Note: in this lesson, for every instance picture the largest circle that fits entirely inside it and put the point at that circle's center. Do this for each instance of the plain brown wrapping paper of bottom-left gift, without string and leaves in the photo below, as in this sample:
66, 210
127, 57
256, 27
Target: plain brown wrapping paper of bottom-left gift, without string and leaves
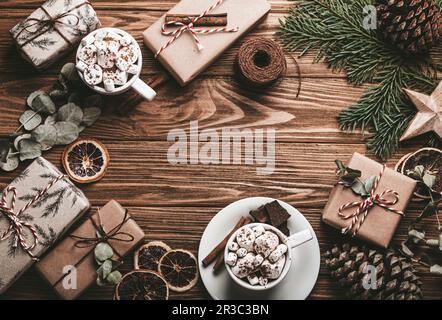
52, 267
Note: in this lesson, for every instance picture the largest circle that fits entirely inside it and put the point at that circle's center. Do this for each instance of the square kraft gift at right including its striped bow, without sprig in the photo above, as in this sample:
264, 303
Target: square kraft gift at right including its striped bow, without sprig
375, 216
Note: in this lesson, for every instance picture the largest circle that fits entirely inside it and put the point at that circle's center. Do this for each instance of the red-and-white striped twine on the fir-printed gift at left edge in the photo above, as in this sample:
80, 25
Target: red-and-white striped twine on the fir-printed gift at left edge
18, 226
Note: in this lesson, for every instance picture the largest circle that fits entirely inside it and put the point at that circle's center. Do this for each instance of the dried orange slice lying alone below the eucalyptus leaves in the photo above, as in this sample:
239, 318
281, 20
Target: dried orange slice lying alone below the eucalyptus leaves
85, 160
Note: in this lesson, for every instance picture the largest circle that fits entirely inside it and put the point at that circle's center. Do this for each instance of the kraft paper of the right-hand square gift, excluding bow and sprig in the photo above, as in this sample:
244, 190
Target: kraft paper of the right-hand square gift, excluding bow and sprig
380, 224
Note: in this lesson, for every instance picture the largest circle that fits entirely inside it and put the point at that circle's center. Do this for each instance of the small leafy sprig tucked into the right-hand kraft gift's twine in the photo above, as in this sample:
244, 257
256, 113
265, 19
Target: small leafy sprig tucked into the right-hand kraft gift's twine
351, 178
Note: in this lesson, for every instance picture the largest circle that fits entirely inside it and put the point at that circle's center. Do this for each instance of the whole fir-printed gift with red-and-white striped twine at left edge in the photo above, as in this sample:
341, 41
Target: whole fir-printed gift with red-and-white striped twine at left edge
35, 210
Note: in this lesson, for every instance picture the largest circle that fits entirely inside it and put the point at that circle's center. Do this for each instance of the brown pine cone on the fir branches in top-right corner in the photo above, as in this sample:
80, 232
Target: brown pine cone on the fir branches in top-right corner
413, 26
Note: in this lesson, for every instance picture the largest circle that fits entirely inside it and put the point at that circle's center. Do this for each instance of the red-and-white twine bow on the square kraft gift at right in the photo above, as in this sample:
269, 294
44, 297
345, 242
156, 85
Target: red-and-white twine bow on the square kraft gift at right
379, 199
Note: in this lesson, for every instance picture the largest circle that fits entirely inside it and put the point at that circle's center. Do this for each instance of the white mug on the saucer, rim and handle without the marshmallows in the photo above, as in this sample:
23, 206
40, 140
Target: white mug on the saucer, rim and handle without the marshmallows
291, 242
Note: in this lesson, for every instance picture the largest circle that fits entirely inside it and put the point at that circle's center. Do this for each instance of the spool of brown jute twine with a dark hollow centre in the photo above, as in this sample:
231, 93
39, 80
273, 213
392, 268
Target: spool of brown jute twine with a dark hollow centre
260, 62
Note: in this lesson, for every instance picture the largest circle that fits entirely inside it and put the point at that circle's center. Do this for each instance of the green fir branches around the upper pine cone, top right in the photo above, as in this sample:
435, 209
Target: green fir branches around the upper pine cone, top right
334, 30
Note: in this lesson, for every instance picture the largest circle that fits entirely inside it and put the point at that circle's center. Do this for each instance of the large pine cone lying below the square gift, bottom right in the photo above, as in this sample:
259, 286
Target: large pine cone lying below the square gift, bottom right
395, 278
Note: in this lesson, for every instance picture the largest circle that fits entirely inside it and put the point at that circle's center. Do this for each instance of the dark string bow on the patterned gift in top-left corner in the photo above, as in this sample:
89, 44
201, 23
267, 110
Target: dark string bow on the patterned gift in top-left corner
36, 27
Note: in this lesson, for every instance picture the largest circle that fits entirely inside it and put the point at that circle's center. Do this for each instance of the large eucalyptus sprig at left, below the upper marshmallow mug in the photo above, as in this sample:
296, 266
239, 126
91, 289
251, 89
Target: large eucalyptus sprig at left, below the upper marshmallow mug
54, 118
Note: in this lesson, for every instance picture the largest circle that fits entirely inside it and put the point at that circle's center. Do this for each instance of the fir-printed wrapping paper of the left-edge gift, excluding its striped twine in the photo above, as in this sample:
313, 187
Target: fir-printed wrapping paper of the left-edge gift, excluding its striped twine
61, 205
